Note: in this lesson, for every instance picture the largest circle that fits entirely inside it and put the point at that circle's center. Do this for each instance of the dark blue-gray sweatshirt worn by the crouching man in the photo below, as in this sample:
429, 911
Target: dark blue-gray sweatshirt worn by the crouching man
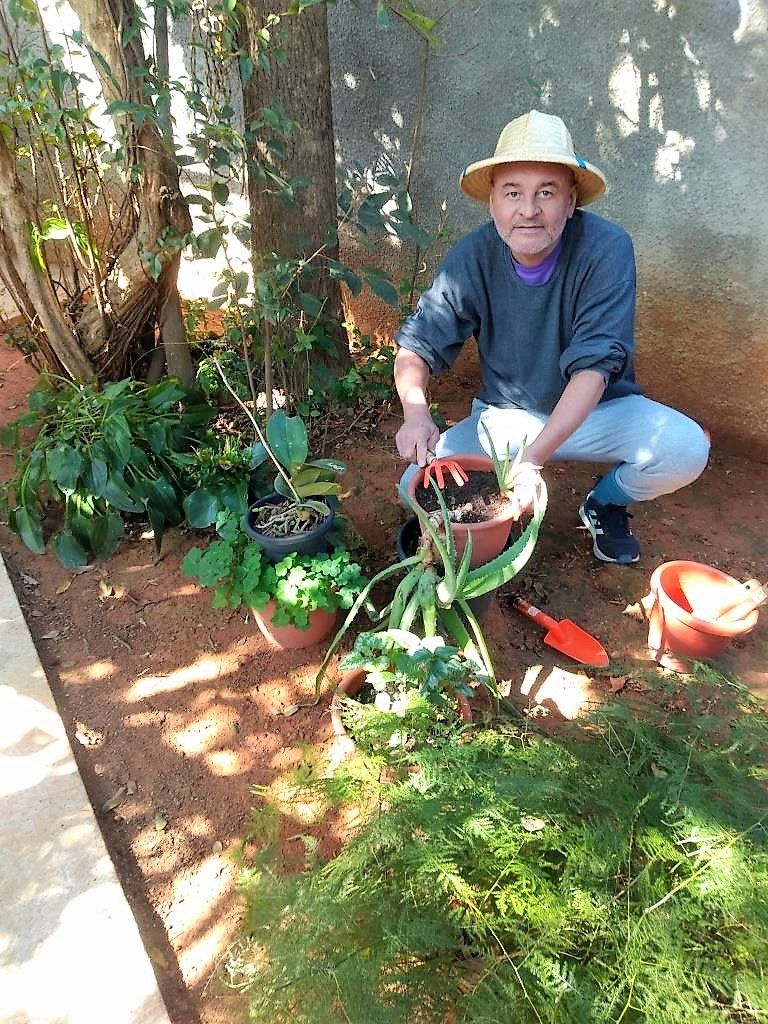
533, 338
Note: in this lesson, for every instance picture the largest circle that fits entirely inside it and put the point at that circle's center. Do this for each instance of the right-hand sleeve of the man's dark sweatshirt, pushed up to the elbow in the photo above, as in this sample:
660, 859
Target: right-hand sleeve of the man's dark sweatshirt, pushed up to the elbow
604, 324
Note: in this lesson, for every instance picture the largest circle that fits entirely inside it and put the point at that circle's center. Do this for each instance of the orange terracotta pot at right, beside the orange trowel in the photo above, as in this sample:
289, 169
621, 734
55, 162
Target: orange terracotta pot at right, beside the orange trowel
689, 599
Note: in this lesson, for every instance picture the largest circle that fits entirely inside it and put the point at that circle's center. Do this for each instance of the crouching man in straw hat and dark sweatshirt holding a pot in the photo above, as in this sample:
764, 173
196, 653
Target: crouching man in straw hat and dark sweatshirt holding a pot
548, 292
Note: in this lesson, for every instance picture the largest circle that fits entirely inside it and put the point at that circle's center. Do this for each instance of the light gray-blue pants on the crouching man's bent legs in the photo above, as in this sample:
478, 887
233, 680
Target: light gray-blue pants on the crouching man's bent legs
656, 450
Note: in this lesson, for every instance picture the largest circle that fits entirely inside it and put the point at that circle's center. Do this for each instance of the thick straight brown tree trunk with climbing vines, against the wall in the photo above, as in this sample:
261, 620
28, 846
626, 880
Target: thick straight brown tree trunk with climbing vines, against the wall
304, 86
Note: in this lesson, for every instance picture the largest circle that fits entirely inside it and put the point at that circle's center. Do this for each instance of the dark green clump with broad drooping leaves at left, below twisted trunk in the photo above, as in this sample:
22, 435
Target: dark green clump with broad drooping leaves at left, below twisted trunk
100, 454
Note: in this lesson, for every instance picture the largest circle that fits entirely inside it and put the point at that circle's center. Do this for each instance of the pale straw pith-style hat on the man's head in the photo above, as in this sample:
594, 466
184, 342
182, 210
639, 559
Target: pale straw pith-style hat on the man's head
535, 138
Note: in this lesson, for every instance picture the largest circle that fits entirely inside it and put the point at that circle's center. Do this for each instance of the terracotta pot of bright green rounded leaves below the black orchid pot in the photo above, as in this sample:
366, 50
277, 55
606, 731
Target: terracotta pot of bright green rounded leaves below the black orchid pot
295, 602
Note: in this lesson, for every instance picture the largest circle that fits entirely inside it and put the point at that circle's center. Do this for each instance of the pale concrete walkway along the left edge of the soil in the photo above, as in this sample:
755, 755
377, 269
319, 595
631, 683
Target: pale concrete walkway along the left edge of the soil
70, 950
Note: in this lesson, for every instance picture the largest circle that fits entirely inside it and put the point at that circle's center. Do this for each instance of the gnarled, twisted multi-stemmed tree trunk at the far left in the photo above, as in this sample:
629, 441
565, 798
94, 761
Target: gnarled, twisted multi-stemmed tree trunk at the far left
109, 324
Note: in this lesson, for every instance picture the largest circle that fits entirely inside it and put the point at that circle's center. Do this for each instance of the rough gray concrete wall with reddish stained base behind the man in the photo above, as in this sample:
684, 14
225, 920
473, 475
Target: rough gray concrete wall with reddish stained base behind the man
668, 99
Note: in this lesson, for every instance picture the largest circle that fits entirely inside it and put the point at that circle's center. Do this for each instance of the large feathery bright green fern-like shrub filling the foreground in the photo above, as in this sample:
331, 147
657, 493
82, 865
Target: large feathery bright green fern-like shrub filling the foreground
619, 875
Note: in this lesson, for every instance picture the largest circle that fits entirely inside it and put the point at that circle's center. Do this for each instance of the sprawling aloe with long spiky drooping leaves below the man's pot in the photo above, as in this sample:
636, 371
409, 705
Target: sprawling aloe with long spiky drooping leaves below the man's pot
439, 583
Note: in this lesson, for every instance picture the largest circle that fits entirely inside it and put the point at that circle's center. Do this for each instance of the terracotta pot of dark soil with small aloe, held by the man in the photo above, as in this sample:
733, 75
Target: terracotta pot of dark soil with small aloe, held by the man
478, 492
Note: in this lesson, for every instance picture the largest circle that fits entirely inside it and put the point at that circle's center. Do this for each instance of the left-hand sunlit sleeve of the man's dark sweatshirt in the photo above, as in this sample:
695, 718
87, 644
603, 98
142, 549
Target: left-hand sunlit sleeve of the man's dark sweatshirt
446, 316
